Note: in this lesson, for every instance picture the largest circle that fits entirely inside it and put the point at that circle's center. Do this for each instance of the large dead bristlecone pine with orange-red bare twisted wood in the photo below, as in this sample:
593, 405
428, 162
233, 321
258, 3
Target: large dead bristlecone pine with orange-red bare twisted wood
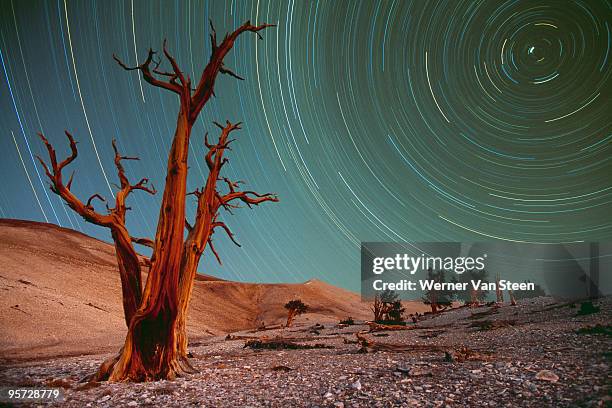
156, 343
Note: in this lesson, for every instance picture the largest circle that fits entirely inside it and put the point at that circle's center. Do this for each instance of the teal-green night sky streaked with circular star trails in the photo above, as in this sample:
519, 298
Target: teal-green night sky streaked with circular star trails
372, 121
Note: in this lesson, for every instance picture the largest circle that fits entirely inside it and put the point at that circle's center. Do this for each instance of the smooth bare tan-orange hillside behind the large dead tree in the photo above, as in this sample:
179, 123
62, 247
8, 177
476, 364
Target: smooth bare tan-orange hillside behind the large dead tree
60, 294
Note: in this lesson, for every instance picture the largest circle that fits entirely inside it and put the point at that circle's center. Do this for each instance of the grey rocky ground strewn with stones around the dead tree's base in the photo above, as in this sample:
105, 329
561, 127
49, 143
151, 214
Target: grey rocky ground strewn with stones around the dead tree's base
539, 353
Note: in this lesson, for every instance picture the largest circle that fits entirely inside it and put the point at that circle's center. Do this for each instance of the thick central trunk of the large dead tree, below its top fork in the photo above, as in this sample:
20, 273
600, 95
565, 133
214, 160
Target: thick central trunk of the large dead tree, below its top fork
149, 352
